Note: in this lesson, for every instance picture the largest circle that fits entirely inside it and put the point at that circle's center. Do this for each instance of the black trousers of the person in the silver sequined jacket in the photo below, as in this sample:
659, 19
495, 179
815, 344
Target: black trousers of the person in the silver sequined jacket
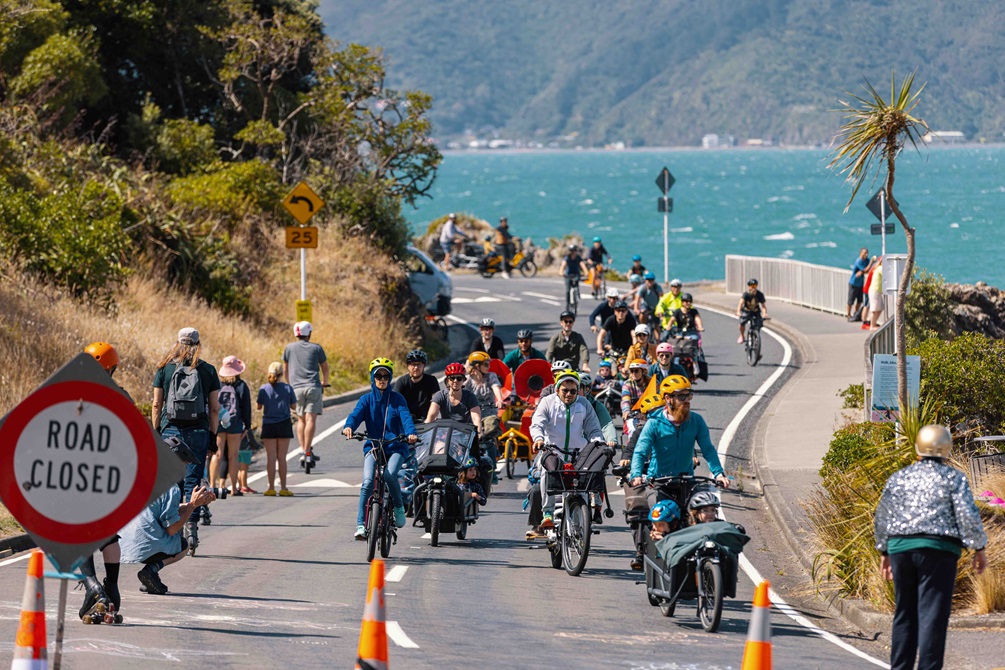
924, 581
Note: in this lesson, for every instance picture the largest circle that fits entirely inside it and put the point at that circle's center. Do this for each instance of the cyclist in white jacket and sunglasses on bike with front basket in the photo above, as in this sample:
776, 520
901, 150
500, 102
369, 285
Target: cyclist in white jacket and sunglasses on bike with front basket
565, 420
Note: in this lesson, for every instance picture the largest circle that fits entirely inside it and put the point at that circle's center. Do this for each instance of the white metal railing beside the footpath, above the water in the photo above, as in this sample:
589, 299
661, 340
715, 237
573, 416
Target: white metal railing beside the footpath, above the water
818, 287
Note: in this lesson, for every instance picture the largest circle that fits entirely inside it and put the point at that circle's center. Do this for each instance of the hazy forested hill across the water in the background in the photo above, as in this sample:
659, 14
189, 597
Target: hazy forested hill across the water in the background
667, 73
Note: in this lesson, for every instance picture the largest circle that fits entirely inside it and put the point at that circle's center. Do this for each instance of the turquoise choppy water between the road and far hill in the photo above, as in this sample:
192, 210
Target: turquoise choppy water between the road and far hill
779, 203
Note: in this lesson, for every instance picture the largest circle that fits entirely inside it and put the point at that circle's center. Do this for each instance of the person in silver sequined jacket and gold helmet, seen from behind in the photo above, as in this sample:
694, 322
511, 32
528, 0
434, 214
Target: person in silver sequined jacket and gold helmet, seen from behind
925, 520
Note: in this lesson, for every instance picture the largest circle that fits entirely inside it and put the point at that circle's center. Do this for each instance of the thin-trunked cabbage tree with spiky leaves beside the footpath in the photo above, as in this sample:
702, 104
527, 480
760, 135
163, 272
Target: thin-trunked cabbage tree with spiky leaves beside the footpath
874, 134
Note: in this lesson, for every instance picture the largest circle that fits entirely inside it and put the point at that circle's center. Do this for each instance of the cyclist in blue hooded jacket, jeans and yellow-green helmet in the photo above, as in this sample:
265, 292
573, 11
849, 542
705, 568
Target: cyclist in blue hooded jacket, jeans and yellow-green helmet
386, 416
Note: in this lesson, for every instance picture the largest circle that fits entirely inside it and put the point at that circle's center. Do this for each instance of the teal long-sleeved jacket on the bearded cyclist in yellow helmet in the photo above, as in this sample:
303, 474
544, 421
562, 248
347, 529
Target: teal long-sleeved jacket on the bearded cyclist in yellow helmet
670, 449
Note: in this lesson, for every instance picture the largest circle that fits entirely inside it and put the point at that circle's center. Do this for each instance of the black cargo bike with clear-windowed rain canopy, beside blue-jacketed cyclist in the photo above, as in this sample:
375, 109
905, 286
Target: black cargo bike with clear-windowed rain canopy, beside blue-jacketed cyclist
441, 505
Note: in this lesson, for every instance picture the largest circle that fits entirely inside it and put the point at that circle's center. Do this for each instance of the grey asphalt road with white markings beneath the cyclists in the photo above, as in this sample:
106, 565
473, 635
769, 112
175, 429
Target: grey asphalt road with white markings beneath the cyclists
280, 582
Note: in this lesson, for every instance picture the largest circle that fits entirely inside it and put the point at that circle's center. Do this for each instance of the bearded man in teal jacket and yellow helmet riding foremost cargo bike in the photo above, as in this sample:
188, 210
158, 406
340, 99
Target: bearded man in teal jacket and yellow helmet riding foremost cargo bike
670, 437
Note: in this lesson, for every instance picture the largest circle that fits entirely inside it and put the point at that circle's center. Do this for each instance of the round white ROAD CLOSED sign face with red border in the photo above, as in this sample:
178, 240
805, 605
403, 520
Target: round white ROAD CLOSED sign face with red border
80, 463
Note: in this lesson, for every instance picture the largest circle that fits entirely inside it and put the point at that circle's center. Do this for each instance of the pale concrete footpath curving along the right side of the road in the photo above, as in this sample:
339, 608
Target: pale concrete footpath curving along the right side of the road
793, 436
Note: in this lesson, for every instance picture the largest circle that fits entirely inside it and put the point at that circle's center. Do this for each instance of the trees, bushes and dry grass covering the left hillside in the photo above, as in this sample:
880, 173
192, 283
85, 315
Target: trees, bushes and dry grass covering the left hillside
145, 149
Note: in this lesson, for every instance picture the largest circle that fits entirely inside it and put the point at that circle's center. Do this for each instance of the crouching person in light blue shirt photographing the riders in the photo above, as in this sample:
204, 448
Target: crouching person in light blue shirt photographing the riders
154, 538
